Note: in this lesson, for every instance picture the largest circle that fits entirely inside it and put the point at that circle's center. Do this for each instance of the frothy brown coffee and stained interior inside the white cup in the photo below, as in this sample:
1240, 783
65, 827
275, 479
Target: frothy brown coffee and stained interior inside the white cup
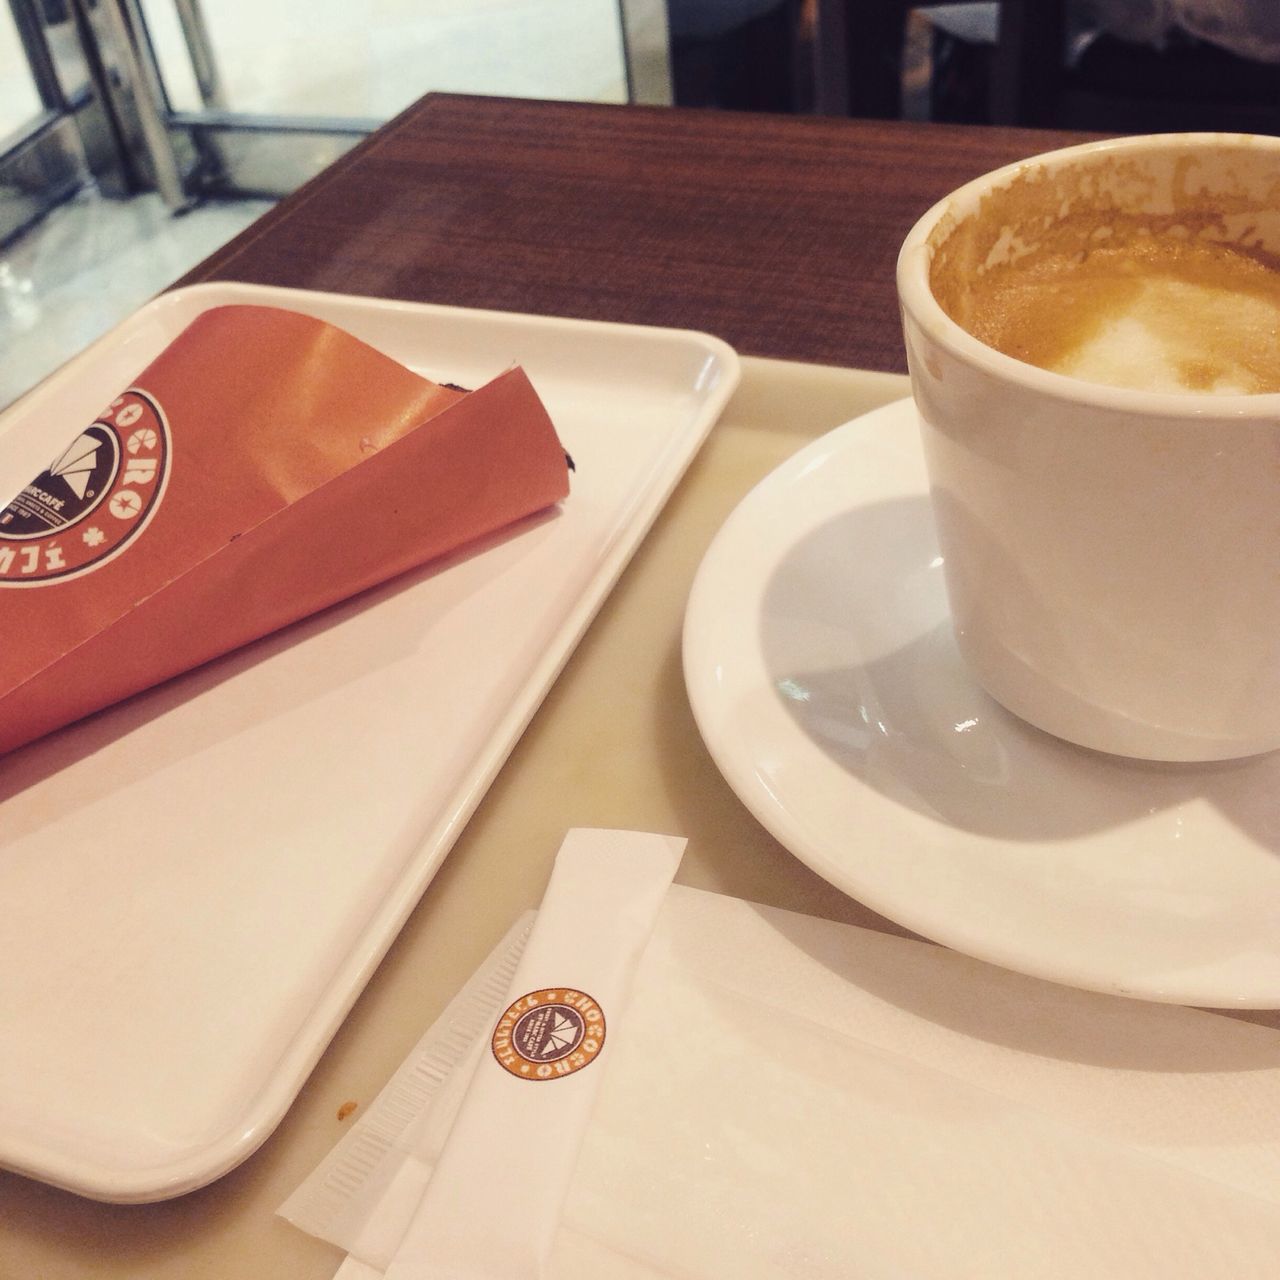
1121, 275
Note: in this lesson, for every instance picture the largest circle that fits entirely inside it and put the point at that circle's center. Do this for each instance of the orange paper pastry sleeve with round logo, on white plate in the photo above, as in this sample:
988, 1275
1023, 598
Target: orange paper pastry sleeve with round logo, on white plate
266, 467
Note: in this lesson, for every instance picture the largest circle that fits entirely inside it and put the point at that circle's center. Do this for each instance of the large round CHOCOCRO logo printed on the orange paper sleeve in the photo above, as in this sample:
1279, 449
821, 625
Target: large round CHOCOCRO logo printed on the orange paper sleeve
92, 501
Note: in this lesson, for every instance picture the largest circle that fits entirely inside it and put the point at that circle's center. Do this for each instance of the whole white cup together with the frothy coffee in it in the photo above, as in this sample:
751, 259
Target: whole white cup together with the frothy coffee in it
1092, 337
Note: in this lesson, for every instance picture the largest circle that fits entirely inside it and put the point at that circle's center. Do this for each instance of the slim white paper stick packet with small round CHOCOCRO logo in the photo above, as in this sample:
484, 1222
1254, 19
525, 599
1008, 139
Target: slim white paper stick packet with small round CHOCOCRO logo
493, 1205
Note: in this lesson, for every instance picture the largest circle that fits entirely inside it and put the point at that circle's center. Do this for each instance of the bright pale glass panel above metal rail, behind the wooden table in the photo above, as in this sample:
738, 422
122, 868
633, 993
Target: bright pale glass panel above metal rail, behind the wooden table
333, 58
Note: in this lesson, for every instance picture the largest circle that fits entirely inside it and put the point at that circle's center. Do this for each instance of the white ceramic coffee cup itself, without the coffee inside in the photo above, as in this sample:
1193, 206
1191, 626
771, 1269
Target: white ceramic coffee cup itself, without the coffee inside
1112, 555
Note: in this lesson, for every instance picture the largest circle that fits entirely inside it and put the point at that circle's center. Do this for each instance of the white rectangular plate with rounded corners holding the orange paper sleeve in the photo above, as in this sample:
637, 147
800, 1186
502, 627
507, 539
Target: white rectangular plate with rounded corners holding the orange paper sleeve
196, 885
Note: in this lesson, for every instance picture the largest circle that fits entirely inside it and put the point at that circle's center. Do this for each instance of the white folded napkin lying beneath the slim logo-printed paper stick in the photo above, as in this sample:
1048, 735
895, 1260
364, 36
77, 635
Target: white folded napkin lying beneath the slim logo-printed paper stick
793, 1098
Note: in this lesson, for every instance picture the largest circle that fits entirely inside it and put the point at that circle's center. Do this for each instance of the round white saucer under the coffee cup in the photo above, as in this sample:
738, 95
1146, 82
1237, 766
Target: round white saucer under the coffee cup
826, 683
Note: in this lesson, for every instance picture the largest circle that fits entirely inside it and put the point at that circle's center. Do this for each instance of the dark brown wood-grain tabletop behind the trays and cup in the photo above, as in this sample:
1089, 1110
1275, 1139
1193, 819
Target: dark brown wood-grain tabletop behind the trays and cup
778, 234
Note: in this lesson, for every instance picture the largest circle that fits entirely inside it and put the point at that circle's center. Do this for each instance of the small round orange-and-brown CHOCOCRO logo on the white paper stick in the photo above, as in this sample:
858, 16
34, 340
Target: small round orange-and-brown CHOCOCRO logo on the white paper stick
550, 1034
